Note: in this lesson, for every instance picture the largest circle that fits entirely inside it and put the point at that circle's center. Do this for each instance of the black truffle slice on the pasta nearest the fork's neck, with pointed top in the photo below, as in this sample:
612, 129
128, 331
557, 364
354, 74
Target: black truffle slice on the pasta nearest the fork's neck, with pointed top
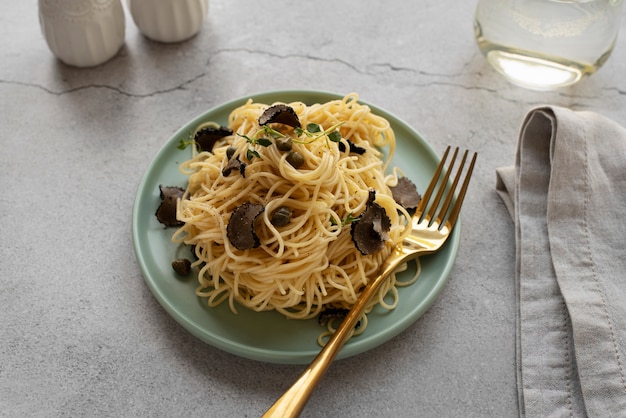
371, 229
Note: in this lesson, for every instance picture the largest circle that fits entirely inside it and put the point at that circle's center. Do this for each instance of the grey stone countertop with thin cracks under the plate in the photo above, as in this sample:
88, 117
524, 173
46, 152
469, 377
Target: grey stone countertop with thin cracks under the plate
82, 335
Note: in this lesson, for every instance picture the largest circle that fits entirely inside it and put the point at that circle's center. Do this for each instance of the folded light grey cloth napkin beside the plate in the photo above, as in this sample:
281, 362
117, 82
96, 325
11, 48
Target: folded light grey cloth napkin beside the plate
567, 197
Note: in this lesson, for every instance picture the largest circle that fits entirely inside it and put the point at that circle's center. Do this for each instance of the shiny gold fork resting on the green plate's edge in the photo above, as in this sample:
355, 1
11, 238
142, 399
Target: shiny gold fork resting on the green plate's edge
429, 232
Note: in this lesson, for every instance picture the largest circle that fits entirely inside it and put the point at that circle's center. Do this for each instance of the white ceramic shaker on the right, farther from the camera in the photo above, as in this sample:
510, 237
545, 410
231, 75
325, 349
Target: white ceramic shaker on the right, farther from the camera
169, 20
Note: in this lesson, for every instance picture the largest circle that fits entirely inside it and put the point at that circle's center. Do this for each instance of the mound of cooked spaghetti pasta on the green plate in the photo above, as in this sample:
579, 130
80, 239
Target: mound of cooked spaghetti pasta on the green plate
309, 263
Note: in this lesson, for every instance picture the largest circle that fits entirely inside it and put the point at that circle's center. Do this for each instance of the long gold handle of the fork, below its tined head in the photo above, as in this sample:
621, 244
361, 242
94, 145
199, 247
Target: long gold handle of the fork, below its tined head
291, 403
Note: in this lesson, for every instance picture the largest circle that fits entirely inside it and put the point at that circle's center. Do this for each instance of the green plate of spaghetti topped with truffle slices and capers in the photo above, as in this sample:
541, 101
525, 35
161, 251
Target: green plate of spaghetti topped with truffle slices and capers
285, 205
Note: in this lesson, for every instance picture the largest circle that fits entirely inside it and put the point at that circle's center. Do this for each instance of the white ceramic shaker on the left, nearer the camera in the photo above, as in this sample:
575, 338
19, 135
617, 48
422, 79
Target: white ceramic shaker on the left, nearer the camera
83, 33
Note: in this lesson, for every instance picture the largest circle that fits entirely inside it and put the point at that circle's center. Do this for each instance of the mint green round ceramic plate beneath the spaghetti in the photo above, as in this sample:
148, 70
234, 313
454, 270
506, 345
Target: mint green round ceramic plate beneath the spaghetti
268, 336
